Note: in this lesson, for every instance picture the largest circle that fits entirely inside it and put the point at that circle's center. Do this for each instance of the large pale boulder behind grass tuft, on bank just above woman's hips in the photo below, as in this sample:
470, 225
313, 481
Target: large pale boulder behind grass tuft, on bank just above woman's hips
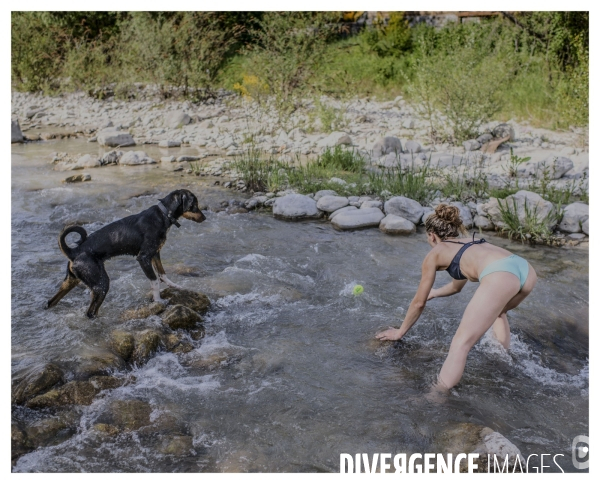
525, 204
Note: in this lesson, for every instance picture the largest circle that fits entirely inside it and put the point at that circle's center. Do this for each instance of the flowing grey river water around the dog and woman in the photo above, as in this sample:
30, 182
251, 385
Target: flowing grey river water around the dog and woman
304, 380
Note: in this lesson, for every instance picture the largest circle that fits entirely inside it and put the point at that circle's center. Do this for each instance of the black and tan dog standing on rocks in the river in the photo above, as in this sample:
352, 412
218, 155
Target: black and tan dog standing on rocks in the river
141, 235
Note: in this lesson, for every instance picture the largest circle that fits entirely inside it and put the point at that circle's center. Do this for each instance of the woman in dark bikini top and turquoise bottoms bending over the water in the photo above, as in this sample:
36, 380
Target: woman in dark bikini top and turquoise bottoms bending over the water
505, 280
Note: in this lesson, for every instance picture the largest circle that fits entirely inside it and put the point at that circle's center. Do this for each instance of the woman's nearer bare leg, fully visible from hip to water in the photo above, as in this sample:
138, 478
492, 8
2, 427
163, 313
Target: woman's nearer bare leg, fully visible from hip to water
493, 294
